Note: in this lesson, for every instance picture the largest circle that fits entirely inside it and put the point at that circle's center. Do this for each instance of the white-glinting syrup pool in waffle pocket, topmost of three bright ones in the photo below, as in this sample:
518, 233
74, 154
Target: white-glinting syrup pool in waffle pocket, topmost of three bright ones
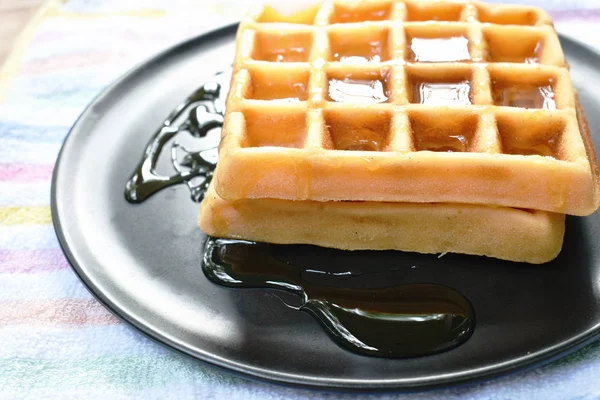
449, 49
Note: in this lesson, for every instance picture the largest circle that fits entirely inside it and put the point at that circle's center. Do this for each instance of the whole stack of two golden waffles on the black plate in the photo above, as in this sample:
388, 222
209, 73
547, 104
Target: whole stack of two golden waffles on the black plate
426, 126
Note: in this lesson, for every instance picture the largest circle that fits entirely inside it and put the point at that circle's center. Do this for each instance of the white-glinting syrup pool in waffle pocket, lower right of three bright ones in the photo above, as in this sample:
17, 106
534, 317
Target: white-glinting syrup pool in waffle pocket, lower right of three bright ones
440, 93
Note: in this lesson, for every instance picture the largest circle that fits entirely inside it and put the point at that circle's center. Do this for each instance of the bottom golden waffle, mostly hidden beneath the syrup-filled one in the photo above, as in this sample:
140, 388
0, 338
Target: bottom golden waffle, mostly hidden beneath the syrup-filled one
506, 233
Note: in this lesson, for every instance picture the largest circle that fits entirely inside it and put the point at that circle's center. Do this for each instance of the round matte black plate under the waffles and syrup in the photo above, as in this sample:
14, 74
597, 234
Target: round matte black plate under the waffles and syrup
143, 261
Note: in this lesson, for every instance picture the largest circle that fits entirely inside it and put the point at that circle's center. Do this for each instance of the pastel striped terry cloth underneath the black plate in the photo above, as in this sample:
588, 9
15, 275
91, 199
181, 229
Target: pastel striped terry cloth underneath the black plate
56, 341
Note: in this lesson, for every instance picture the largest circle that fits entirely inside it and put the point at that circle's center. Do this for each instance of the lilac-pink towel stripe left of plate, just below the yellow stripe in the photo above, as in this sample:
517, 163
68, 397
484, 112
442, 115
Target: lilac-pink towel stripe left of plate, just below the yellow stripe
30, 261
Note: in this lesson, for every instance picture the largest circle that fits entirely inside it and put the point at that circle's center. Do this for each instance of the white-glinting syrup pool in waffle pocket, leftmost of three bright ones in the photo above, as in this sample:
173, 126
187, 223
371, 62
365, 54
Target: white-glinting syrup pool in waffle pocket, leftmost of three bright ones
359, 91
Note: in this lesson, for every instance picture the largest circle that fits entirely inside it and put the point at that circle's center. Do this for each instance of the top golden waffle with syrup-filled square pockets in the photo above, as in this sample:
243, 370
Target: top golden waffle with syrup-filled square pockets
406, 101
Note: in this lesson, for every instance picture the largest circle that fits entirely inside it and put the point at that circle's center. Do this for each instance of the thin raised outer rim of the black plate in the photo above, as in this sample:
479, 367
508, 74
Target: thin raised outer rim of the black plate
157, 335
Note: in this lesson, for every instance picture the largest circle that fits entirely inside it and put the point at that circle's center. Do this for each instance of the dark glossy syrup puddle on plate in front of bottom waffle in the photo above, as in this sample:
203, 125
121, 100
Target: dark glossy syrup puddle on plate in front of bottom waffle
407, 320
